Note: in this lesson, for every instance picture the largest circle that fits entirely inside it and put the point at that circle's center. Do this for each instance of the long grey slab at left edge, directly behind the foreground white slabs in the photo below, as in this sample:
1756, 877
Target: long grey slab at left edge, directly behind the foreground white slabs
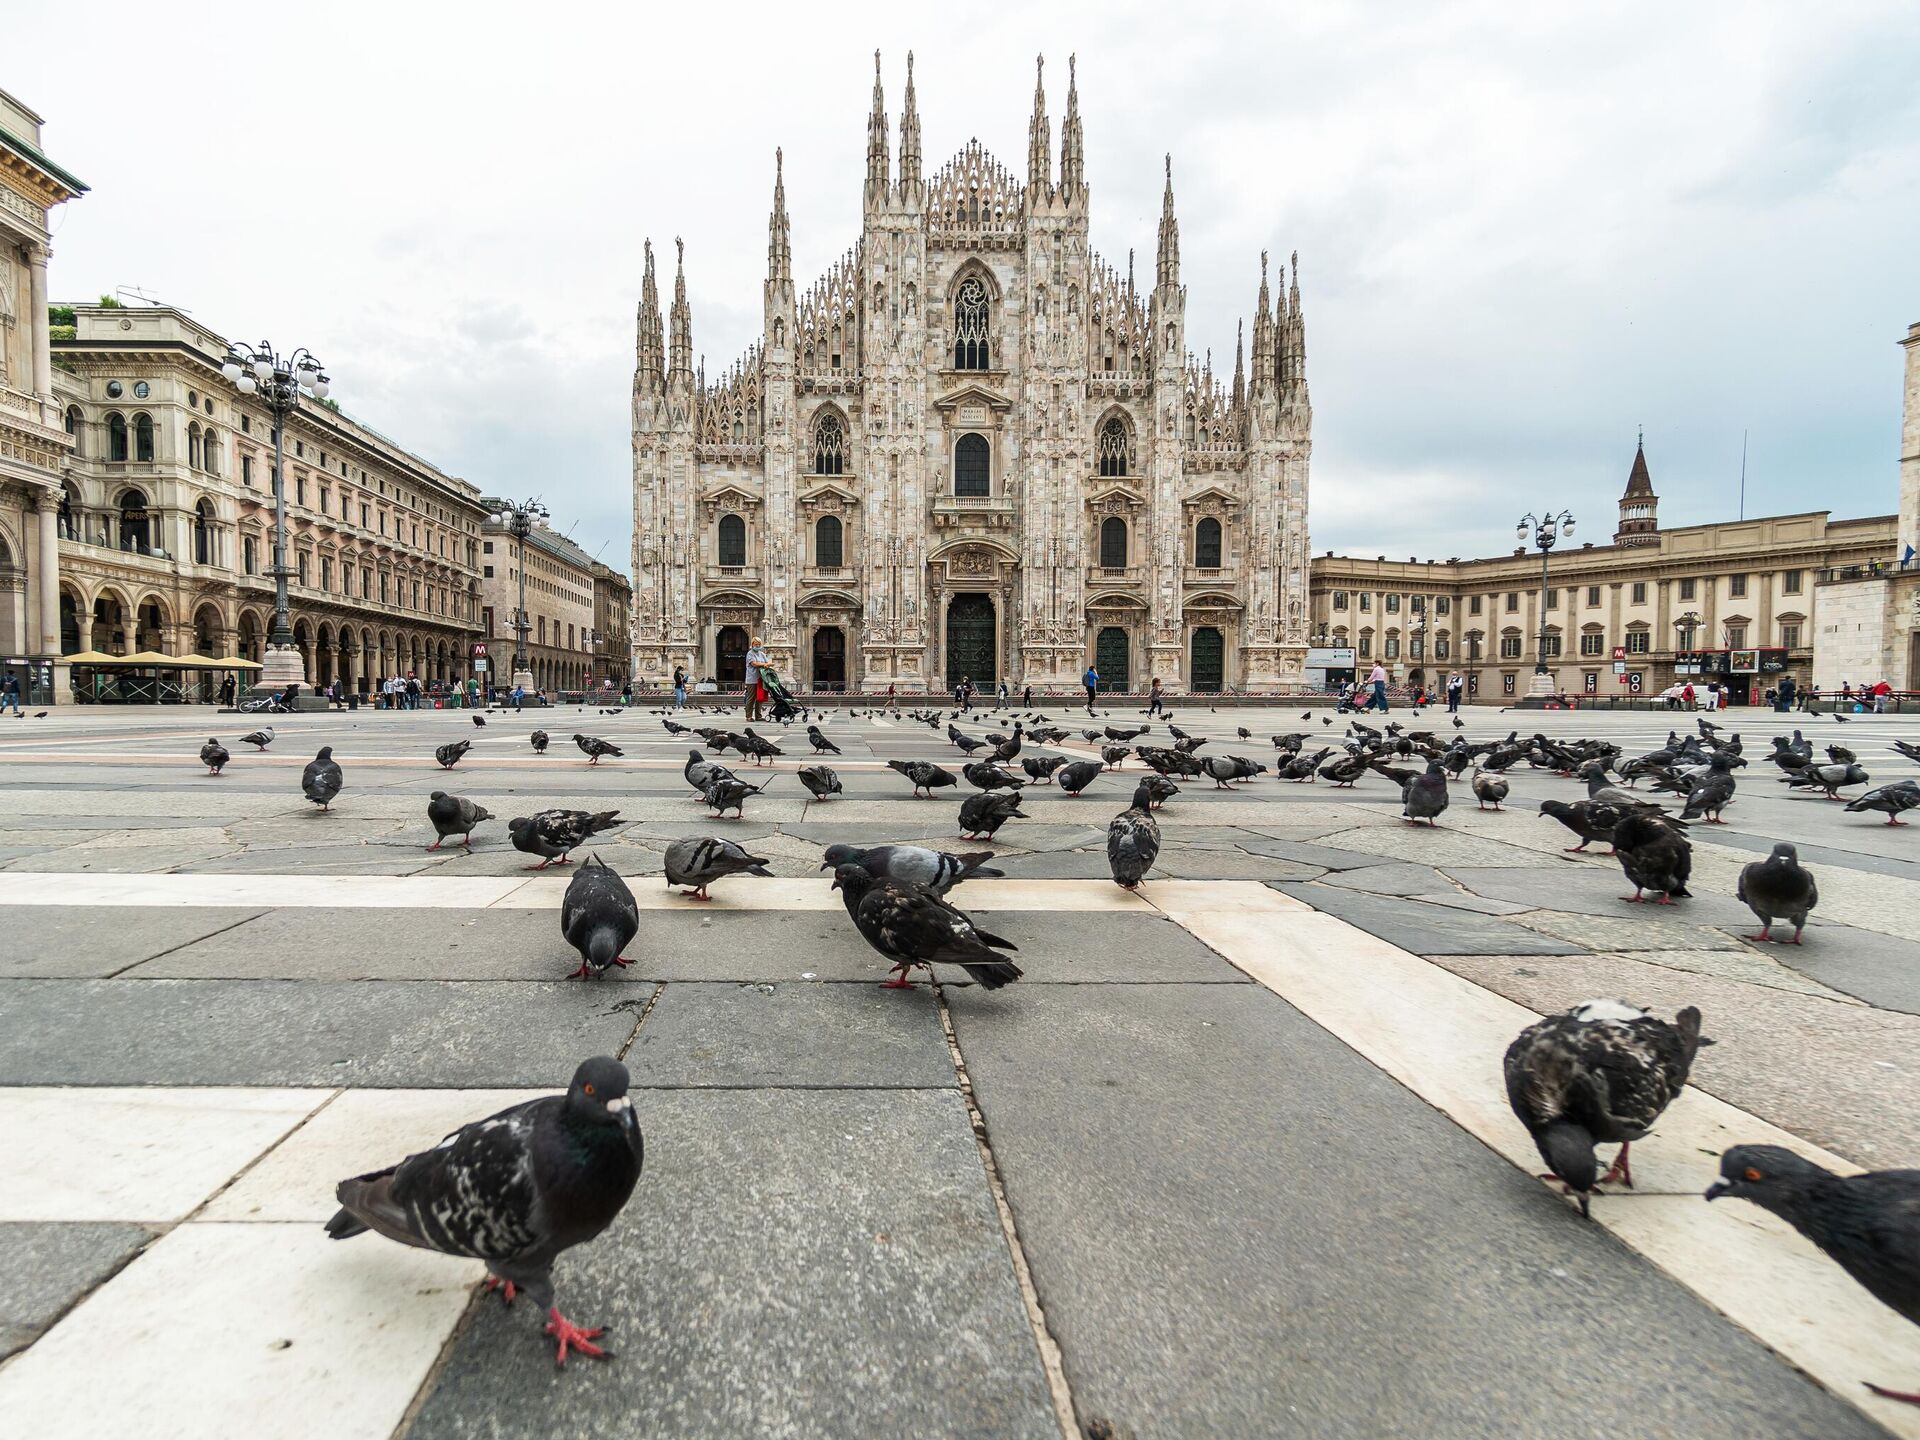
212, 1032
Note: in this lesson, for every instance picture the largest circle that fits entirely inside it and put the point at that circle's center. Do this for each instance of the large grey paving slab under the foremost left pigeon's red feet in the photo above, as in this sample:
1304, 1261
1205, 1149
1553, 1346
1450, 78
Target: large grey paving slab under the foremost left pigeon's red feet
794, 1264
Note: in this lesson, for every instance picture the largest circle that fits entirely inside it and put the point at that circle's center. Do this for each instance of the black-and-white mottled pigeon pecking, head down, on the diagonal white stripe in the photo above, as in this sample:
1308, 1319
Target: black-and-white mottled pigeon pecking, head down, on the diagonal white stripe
1600, 1072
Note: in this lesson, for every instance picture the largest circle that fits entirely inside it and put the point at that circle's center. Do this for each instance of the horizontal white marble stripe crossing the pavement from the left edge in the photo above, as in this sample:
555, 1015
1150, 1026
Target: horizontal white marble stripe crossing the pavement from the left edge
508, 892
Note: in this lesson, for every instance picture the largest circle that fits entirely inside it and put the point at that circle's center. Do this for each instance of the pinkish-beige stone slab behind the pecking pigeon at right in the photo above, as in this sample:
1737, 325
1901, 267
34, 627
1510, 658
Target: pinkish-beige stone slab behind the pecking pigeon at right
1823, 1070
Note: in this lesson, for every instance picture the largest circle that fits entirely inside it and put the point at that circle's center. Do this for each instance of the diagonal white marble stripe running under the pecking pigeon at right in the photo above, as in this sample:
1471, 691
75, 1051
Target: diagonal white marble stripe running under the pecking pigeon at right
1445, 1038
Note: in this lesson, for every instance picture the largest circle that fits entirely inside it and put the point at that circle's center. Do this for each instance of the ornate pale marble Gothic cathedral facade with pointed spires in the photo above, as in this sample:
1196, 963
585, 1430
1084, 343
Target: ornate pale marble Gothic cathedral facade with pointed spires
974, 448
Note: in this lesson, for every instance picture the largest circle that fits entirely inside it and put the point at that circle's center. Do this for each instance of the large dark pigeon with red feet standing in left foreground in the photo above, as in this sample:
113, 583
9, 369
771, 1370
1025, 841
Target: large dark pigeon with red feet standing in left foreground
514, 1189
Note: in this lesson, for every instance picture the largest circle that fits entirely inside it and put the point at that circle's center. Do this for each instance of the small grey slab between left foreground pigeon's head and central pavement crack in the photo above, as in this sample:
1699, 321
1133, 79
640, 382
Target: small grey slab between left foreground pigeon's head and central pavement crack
792, 1034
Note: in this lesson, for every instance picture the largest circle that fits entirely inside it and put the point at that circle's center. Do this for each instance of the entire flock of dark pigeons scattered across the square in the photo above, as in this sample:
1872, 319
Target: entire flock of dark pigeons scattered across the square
533, 1182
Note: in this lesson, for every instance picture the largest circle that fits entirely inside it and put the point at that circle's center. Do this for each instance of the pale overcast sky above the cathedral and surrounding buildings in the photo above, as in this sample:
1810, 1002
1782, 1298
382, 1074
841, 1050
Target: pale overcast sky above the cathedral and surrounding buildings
1522, 237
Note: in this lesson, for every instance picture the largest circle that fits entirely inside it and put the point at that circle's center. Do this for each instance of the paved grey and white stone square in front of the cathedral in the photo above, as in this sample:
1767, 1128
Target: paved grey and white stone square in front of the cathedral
1234, 1159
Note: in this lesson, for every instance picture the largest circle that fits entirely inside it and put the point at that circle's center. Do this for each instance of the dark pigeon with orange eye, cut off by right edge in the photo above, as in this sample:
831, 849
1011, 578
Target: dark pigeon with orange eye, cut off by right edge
1867, 1224
